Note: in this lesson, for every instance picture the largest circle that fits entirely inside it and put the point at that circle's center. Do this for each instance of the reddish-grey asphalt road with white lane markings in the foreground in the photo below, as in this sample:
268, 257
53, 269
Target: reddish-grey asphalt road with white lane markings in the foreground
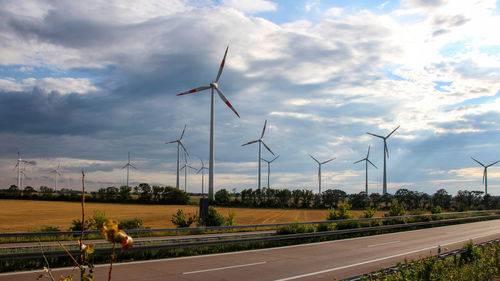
318, 261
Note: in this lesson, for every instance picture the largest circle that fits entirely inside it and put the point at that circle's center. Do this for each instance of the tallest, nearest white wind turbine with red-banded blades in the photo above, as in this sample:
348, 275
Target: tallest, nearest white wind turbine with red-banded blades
214, 87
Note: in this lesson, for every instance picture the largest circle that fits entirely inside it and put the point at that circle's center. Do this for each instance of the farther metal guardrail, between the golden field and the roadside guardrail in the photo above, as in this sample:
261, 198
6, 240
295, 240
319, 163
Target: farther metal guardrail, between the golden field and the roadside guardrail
234, 227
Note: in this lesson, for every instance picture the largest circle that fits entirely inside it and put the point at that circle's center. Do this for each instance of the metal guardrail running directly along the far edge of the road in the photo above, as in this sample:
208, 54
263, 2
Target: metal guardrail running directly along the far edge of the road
249, 240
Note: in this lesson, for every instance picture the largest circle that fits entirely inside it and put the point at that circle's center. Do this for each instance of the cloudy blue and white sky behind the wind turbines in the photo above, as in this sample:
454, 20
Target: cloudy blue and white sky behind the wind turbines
82, 83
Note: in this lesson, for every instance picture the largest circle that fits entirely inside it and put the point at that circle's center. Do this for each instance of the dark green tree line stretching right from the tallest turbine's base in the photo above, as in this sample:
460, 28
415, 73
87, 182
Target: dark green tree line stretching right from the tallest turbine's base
331, 198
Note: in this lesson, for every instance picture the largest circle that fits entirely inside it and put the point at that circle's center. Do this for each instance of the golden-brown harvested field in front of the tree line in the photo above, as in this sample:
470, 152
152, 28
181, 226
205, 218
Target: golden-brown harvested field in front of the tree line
27, 215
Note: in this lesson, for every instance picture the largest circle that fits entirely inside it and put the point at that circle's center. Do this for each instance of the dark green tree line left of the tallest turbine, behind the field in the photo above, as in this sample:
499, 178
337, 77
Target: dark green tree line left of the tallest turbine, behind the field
143, 193
